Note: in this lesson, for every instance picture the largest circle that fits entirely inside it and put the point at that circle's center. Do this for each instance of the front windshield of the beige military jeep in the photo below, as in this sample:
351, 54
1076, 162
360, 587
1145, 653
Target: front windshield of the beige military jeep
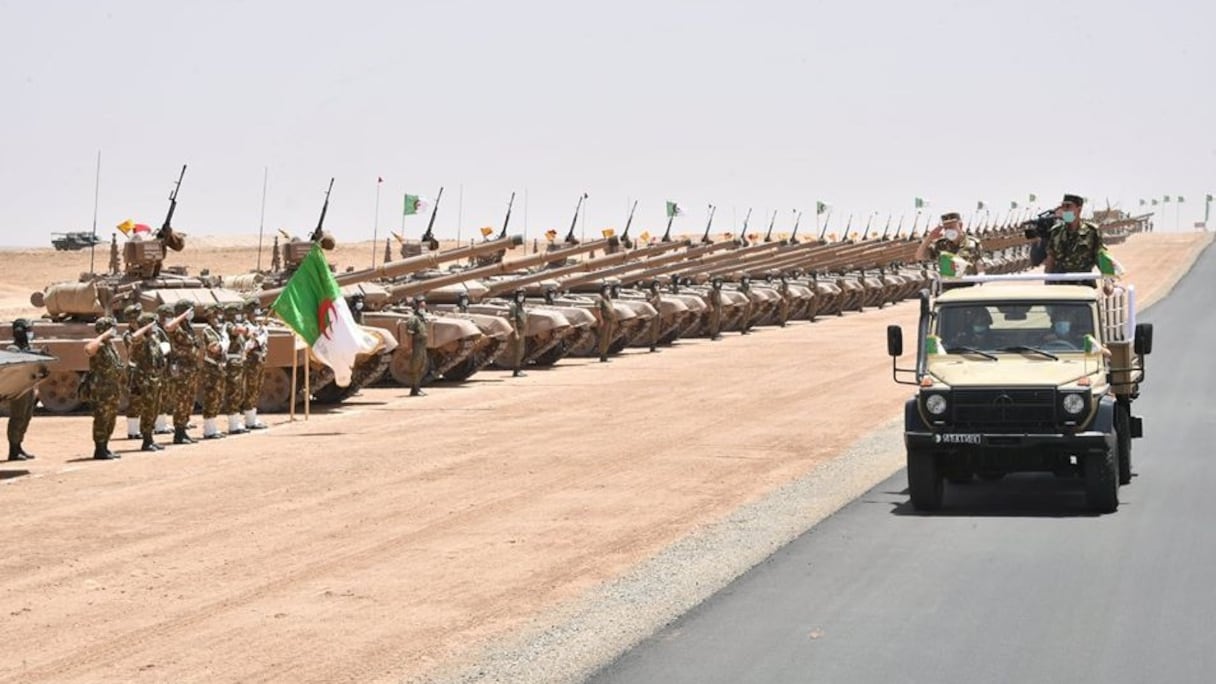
1015, 328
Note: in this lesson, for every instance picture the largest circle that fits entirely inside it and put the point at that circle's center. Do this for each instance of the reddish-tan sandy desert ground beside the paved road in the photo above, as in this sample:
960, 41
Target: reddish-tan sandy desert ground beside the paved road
395, 537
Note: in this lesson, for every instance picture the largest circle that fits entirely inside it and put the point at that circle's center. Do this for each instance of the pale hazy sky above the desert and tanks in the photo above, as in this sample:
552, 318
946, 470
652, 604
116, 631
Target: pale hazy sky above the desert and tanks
765, 105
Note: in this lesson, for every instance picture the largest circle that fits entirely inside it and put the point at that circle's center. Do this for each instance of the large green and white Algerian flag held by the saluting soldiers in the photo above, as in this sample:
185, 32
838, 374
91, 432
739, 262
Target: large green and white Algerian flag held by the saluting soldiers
312, 305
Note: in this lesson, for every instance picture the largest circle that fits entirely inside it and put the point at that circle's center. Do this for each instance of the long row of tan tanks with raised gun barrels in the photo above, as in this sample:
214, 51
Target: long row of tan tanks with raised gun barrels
469, 289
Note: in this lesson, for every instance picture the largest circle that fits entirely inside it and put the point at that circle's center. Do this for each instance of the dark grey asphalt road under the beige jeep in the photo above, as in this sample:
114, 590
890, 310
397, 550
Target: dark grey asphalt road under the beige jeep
1015, 582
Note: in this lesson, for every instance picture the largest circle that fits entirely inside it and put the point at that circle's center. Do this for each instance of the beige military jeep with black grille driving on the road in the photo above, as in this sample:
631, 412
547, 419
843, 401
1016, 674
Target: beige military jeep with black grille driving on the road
1023, 374
